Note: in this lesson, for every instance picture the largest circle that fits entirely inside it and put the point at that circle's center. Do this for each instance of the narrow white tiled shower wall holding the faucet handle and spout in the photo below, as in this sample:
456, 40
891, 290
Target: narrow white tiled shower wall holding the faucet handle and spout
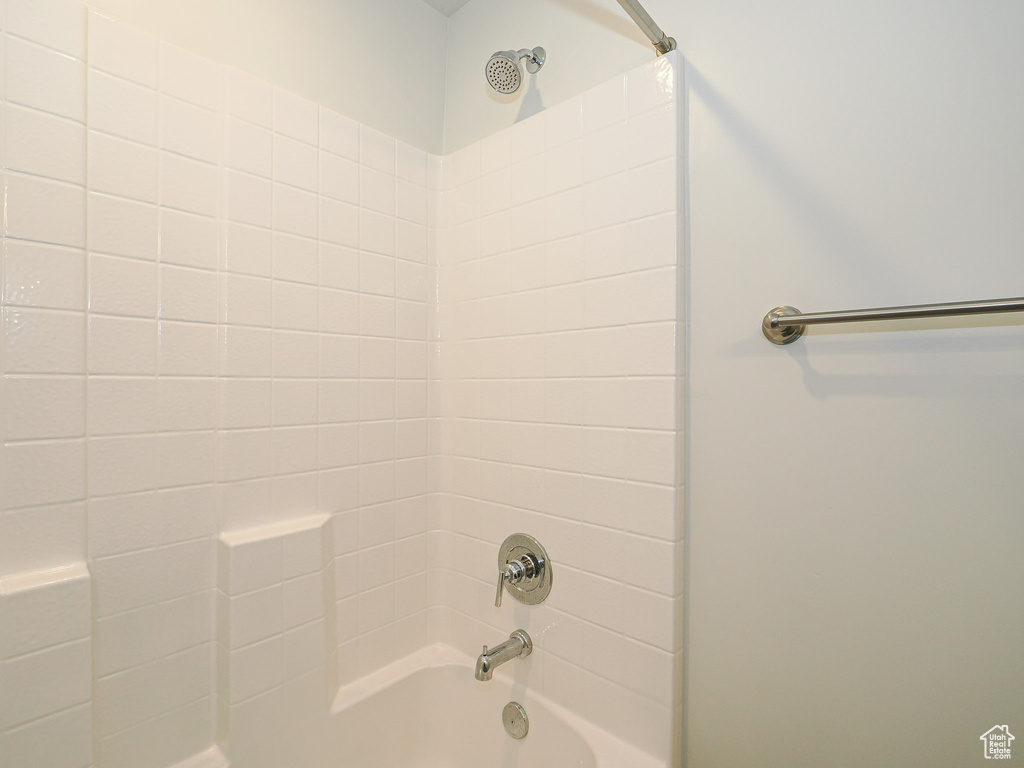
557, 398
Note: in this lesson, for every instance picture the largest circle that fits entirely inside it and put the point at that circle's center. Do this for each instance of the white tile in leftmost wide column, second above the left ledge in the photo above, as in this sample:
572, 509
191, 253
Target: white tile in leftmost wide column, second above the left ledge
44, 474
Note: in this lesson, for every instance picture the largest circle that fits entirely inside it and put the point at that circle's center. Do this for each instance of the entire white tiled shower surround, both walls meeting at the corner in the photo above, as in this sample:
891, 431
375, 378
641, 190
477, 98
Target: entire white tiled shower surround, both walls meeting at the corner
216, 317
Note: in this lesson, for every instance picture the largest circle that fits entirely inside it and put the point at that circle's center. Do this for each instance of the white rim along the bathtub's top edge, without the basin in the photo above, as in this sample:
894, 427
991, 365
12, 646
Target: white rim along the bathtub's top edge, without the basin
610, 751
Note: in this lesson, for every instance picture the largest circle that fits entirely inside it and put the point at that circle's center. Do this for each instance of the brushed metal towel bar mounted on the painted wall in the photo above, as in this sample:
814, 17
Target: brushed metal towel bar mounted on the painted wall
785, 325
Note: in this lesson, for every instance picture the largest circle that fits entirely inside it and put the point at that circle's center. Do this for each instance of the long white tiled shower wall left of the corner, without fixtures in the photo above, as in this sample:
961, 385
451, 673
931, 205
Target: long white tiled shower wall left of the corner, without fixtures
215, 319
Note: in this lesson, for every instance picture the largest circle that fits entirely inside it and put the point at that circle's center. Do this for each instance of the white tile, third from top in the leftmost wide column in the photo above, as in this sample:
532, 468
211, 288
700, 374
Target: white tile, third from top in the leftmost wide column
46, 146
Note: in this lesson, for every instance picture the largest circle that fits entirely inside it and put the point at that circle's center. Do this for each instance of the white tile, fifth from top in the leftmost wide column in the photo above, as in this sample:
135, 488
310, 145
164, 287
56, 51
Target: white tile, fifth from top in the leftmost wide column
46, 277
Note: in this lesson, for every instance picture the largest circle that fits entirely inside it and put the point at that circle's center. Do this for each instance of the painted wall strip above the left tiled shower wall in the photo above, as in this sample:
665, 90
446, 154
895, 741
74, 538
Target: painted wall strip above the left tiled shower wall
378, 62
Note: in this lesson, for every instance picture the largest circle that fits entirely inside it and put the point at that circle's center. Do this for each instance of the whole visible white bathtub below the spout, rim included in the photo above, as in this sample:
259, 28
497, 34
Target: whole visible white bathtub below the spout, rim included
428, 711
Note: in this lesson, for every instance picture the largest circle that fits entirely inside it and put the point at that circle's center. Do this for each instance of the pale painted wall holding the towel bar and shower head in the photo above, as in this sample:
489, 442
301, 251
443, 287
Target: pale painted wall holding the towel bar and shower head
851, 604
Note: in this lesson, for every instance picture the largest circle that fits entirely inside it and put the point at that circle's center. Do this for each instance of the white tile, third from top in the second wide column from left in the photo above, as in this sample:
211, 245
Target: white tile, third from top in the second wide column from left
123, 168
